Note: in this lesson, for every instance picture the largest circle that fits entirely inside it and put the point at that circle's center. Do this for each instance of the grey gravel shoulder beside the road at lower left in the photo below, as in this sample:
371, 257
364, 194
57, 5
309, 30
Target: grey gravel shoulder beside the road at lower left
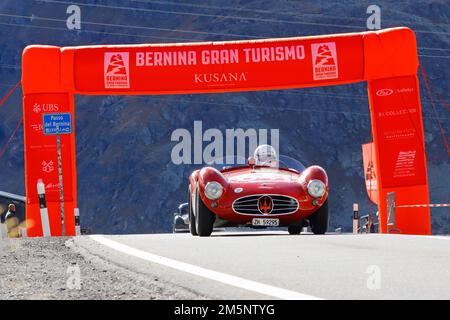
57, 268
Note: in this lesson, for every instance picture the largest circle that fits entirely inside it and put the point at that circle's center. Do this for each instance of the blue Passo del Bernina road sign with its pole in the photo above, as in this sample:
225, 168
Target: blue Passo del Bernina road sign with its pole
57, 124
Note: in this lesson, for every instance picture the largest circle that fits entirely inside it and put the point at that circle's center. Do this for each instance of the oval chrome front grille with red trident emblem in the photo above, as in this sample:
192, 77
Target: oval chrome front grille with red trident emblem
279, 205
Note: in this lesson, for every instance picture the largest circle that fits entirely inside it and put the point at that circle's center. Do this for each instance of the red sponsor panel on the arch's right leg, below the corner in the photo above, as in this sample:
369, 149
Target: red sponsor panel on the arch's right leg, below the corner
398, 118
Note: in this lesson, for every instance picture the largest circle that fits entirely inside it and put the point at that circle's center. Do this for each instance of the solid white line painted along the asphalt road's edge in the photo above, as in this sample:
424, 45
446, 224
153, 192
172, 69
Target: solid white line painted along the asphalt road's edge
242, 283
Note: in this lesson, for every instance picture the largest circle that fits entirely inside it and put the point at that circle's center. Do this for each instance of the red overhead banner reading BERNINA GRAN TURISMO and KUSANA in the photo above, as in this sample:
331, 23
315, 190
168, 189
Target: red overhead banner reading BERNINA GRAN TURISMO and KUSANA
231, 66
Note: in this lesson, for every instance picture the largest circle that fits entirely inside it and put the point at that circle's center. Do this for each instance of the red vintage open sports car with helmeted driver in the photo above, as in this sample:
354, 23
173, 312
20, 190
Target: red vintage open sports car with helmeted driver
259, 193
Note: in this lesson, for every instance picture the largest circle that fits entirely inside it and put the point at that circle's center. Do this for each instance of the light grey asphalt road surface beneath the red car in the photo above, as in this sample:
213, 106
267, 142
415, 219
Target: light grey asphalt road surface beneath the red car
275, 265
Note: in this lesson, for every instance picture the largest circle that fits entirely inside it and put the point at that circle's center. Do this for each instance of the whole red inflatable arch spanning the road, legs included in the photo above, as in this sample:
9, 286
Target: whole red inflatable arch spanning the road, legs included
386, 59
